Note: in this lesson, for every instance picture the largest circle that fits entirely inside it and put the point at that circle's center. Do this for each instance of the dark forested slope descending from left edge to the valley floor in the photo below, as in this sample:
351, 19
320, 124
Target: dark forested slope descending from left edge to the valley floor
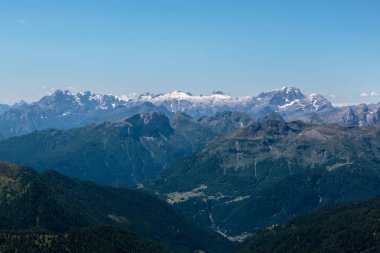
55, 203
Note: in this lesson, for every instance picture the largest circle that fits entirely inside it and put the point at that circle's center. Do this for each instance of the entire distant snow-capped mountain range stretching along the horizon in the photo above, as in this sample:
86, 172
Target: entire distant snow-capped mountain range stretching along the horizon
65, 110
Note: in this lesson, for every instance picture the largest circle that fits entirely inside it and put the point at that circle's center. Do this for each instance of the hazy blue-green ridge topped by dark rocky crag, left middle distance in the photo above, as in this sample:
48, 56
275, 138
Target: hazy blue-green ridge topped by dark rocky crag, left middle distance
112, 153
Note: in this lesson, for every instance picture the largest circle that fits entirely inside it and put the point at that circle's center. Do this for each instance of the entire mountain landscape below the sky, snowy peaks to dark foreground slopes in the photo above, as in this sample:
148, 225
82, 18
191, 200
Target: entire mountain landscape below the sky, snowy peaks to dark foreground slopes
191, 173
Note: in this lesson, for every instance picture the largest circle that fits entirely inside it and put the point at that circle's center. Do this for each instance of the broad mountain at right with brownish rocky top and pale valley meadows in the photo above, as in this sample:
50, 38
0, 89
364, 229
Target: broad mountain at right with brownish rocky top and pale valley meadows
271, 171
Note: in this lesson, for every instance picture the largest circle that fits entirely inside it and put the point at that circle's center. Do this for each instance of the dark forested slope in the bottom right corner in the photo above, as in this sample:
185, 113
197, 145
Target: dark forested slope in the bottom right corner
353, 227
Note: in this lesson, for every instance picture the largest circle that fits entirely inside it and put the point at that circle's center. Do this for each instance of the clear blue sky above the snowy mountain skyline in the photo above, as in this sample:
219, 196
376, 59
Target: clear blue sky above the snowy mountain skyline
242, 47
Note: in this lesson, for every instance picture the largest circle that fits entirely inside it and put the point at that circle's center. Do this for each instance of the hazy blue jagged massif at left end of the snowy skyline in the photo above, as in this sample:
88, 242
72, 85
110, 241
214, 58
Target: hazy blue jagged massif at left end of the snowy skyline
64, 110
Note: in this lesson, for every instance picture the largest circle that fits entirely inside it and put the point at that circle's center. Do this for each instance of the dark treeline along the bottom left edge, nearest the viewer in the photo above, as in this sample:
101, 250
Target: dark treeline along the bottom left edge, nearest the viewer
99, 239
